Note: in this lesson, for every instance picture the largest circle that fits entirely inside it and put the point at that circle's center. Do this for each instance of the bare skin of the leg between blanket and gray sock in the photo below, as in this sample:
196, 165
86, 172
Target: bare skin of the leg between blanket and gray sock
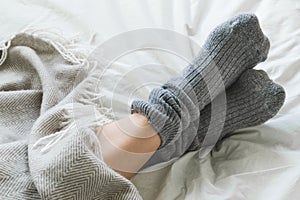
128, 144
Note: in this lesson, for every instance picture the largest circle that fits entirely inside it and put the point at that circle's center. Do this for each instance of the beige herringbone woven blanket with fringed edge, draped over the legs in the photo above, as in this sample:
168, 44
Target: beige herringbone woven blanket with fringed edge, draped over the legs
49, 111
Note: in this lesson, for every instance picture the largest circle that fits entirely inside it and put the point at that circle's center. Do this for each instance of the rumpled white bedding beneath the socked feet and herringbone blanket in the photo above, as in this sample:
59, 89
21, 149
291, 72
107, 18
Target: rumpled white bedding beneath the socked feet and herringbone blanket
256, 163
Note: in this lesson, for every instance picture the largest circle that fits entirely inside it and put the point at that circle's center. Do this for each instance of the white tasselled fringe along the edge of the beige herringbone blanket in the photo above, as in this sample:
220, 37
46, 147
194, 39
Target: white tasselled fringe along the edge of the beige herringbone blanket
77, 115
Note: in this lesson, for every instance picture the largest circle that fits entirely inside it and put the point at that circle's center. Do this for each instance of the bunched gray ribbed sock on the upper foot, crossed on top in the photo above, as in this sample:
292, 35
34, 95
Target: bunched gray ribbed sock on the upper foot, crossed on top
231, 48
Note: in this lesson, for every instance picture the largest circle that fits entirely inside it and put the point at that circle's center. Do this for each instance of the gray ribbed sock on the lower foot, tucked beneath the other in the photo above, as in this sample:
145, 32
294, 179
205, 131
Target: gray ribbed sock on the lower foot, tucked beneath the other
251, 101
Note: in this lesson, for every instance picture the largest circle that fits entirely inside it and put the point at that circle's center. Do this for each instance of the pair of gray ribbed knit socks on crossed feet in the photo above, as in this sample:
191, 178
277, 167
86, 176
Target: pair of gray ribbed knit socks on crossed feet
181, 110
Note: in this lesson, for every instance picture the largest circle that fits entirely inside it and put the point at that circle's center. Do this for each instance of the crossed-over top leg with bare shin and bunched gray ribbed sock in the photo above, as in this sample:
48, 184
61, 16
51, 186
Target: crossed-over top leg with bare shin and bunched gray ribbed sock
173, 110
